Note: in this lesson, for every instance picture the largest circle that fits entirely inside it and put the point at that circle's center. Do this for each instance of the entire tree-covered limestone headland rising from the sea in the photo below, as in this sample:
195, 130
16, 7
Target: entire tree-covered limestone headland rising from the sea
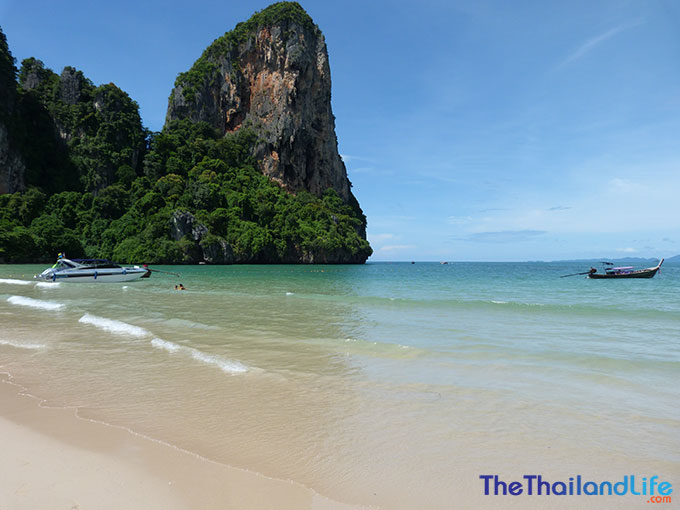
245, 170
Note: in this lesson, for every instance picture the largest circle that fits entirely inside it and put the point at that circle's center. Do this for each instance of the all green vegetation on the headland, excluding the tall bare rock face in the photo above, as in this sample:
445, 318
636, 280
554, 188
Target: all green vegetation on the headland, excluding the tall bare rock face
99, 185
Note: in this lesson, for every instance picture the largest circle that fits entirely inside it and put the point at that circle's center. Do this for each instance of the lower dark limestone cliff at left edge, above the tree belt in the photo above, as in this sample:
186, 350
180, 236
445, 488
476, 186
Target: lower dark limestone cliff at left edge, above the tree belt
60, 132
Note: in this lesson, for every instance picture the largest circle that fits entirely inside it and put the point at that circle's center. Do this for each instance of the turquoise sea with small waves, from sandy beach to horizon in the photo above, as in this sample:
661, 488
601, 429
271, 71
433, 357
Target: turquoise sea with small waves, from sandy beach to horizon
388, 384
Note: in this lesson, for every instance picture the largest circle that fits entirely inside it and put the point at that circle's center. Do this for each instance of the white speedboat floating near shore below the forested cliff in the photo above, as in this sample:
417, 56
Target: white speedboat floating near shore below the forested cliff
90, 270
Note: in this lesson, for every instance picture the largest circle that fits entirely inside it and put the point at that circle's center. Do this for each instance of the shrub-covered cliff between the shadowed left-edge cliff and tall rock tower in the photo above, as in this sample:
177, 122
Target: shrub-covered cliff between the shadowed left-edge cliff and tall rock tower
99, 128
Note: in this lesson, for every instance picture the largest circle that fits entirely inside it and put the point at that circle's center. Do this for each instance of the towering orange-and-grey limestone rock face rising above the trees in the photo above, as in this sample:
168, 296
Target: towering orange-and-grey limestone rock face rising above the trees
271, 73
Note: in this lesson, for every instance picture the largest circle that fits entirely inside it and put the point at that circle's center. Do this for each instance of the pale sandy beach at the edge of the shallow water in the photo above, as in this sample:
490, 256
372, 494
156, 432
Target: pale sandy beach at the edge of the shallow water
54, 458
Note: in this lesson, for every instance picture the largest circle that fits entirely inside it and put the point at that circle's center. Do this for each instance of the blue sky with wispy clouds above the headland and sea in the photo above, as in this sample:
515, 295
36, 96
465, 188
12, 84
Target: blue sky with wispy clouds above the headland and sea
472, 130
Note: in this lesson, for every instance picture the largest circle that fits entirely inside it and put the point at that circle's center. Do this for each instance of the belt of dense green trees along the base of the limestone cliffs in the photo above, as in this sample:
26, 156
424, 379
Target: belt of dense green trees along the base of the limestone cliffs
187, 170
